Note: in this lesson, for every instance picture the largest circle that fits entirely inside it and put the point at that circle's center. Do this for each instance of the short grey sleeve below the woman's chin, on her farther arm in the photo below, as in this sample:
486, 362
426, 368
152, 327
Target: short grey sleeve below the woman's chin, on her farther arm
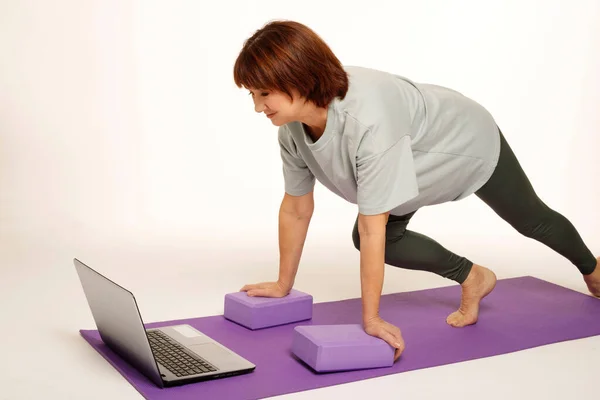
298, 179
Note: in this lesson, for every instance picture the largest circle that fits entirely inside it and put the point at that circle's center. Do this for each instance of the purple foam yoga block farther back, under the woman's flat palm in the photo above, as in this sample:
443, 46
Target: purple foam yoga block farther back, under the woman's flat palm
264, 312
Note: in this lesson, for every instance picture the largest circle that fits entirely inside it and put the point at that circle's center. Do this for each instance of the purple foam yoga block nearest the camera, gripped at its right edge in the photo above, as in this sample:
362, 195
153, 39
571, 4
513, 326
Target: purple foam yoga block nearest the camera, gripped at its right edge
328, 348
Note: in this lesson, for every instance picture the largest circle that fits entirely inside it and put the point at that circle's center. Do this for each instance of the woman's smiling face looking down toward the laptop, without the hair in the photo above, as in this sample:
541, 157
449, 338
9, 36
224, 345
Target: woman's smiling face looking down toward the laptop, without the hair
277, 106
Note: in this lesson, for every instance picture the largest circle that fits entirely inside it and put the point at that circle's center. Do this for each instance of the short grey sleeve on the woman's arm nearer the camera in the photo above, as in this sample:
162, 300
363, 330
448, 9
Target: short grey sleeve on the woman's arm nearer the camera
386, 180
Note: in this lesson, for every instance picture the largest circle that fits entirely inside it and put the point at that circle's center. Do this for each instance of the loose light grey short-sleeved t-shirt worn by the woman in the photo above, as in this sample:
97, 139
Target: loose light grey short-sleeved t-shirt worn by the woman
393, 145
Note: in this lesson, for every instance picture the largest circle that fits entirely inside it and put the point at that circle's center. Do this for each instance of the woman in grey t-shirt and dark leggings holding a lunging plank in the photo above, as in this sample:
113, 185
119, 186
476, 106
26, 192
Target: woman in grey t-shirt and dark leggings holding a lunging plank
391, 146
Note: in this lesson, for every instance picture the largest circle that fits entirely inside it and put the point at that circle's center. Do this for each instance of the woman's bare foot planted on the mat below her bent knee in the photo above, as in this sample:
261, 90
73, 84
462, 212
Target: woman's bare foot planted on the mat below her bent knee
480, 282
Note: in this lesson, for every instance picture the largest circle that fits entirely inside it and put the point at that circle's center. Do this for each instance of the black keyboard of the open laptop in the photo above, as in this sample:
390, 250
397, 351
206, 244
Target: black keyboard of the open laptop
173, 356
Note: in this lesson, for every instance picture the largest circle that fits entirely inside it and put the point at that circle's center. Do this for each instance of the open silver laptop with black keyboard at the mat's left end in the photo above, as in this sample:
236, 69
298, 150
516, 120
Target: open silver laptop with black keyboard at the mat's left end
169, 356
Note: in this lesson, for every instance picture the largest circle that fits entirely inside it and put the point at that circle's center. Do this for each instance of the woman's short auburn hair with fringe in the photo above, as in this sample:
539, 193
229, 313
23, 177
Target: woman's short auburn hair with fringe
285, 55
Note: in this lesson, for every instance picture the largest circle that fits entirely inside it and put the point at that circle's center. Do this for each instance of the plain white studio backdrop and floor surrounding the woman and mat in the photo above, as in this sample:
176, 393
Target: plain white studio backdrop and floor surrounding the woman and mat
124, 142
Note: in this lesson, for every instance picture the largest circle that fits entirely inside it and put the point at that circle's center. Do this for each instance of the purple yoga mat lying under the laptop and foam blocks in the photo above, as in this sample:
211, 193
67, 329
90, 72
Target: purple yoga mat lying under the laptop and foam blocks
520, 313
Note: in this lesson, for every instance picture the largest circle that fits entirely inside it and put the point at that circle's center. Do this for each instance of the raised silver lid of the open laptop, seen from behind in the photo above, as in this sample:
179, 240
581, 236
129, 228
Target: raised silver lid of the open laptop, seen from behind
118, 319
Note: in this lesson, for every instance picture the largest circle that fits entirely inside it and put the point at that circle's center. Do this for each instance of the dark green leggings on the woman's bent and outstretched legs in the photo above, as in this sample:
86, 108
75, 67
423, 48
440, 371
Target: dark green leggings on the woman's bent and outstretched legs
510, 194
